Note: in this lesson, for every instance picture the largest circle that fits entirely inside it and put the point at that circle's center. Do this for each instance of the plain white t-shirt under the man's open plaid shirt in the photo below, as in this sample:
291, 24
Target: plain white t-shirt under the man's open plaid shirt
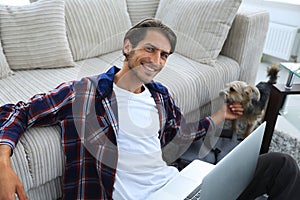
140, 169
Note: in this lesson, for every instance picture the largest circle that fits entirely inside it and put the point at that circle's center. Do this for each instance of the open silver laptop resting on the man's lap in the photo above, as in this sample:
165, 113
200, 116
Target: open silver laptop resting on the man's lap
225, 181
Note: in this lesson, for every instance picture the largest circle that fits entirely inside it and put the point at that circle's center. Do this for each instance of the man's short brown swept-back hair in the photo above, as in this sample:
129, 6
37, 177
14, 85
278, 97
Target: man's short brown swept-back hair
138, 32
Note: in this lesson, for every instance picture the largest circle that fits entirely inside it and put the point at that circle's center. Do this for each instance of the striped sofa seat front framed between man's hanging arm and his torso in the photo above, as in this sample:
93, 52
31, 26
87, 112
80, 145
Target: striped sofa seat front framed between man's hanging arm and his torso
38, 142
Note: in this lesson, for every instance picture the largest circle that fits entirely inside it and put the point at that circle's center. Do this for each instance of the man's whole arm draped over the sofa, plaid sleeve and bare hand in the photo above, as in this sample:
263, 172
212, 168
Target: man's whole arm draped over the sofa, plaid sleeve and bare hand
42, 109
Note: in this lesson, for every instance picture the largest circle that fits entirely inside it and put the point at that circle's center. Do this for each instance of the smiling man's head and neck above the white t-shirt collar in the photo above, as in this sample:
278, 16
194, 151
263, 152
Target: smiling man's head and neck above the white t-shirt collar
144, 59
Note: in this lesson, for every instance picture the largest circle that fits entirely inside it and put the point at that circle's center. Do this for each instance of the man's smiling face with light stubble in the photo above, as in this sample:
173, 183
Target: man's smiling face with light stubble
148, 58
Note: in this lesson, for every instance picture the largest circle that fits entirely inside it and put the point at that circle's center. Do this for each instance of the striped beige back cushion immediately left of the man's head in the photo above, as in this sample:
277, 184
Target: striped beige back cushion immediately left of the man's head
96, 27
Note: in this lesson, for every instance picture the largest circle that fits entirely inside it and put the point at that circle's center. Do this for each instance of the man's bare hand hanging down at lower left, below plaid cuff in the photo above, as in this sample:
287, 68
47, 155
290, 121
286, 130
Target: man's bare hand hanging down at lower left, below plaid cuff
9, 181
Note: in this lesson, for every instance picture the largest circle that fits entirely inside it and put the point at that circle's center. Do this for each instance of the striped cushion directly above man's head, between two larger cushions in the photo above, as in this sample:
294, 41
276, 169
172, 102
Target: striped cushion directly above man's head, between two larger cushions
141, 9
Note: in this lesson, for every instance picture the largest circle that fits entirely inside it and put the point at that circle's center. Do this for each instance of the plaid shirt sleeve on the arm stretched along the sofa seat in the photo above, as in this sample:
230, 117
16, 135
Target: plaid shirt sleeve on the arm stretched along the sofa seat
41, 110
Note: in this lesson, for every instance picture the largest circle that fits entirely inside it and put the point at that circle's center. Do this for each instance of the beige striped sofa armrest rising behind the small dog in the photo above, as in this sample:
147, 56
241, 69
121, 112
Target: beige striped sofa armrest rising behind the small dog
246, 40
